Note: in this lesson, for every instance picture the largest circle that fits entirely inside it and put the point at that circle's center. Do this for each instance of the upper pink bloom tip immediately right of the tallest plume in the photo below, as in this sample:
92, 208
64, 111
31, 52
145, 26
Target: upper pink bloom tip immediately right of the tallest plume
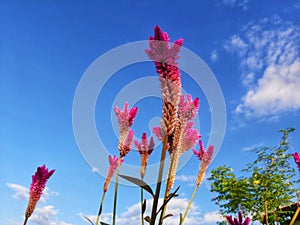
187, 109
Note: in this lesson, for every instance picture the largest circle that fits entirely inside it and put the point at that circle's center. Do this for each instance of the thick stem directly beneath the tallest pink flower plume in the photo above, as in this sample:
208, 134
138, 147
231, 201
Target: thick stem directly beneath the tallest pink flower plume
159, 179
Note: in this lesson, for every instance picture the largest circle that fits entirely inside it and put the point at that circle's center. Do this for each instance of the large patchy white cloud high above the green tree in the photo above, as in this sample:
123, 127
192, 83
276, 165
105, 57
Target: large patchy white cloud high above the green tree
270, 64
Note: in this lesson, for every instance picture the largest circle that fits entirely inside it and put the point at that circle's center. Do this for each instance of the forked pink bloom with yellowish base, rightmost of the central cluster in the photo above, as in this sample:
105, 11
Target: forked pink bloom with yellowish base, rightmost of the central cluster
205, 157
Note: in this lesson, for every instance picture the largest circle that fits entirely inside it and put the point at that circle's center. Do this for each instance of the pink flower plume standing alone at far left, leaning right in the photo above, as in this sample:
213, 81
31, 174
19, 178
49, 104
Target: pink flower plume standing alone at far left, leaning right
37, 186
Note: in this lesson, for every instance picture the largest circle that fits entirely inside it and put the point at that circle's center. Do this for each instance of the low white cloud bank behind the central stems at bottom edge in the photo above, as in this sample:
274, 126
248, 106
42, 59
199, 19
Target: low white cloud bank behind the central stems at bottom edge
175, 207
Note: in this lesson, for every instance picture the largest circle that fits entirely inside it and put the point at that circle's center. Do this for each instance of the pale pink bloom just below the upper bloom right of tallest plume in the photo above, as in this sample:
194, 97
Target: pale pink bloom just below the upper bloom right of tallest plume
190, 137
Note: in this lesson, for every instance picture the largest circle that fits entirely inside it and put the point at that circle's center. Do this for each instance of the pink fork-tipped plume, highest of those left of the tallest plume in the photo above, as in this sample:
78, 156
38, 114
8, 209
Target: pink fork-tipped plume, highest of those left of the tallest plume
125, 119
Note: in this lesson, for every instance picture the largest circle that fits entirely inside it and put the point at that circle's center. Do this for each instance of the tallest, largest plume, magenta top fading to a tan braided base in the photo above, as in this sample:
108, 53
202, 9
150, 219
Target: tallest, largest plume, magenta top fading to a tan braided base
165, 57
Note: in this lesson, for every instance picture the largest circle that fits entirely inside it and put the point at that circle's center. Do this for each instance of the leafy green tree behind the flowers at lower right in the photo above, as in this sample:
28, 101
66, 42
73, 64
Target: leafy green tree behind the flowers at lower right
268, 186
